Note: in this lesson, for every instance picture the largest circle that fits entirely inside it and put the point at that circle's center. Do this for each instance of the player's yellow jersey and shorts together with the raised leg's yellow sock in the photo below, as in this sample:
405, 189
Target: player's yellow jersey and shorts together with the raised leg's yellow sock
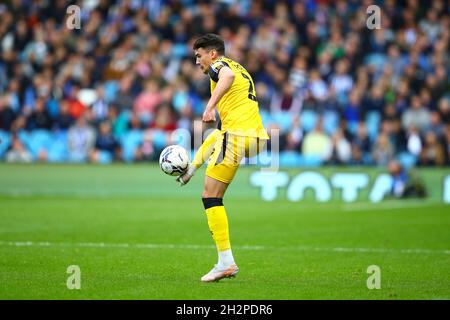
240, 133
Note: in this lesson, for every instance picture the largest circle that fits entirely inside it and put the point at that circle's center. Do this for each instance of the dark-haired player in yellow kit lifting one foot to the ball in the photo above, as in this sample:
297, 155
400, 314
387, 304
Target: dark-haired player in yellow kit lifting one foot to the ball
240, 134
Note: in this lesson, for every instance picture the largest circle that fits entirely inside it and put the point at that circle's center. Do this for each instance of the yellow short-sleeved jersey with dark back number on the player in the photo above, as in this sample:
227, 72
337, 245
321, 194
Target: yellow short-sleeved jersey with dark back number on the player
238, 108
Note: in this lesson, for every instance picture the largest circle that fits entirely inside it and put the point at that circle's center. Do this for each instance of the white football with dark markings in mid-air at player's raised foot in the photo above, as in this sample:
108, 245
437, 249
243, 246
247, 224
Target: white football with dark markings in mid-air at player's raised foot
174, 160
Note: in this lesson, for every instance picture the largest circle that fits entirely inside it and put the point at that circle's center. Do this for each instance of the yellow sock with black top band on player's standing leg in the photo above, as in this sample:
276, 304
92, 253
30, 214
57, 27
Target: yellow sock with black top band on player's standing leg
217, 222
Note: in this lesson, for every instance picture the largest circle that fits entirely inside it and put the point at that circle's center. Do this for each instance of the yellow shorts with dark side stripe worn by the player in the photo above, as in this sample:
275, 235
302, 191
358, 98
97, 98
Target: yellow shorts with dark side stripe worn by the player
229, 150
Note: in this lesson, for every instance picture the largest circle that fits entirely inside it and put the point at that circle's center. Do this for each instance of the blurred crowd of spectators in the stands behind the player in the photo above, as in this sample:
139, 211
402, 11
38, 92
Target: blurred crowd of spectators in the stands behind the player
117, 87
